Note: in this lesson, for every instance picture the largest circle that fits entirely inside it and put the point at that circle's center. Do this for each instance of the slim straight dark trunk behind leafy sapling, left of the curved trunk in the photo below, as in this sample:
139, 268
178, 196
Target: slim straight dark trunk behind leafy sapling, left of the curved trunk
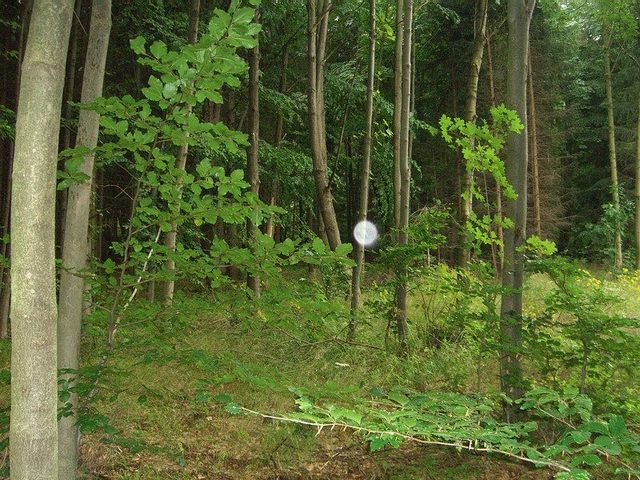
253, 172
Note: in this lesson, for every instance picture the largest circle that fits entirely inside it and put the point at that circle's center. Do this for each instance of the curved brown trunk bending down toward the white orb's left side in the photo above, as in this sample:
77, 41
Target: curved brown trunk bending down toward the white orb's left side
318, 20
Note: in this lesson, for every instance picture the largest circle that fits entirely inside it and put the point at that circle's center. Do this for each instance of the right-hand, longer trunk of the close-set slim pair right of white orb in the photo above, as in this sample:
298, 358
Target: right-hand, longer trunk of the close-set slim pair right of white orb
405, 174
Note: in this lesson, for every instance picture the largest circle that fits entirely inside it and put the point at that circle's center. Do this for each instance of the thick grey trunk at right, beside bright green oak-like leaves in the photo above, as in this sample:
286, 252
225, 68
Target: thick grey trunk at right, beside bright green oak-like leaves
516, 157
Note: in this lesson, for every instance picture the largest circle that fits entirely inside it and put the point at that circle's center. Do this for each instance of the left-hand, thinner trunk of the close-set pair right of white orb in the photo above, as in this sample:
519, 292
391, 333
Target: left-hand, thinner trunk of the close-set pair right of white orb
397, 114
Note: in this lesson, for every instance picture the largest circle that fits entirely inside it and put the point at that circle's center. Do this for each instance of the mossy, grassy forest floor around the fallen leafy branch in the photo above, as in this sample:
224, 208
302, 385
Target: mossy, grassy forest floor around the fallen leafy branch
171, 366
